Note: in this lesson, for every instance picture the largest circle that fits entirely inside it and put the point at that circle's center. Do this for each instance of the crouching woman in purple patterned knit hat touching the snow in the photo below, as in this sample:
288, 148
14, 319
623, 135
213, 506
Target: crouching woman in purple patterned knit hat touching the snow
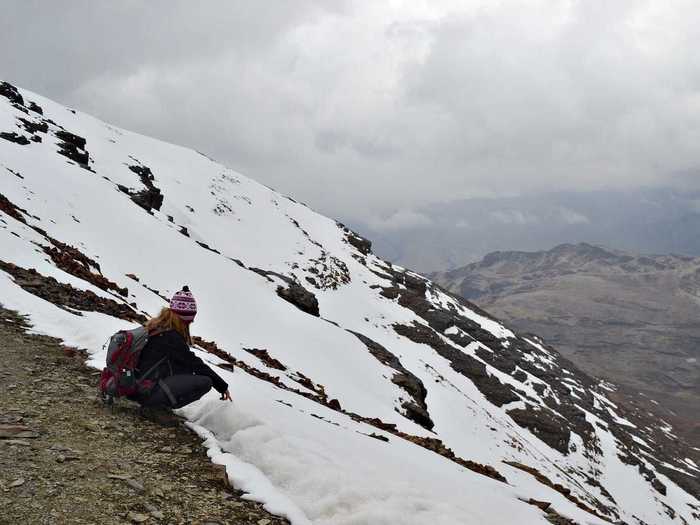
181, 377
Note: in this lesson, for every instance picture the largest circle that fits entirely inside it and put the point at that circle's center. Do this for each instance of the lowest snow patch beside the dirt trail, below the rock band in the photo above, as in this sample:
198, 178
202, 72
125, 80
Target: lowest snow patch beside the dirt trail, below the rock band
347, 477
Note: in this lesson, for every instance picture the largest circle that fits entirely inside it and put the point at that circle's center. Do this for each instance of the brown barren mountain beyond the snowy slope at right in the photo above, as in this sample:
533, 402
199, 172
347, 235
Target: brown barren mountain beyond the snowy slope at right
631, 319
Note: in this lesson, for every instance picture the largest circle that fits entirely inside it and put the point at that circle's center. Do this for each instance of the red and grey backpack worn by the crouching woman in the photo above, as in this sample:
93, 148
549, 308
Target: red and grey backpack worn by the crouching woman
118, 378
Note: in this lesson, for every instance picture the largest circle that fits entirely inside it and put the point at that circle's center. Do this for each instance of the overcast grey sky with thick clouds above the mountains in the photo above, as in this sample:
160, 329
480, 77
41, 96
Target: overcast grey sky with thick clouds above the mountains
371, 110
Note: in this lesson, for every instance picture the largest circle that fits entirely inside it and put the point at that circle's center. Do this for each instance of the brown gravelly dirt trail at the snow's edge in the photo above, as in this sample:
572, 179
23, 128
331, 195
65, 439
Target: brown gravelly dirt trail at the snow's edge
66, 459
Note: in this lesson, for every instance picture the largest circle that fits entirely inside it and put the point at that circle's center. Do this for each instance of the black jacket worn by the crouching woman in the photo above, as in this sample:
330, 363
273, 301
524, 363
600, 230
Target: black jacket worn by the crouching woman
179, 359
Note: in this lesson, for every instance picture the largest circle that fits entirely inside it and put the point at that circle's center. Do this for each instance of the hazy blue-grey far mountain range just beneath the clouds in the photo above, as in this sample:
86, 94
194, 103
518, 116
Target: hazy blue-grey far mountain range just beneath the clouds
452, 234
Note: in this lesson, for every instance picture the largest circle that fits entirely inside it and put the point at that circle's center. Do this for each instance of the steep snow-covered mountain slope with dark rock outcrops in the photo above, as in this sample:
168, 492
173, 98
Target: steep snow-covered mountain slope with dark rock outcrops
363, 393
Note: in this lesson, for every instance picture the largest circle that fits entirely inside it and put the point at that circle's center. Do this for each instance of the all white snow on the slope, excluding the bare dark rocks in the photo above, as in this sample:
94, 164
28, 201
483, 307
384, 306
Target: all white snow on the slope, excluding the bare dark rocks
321, 471
